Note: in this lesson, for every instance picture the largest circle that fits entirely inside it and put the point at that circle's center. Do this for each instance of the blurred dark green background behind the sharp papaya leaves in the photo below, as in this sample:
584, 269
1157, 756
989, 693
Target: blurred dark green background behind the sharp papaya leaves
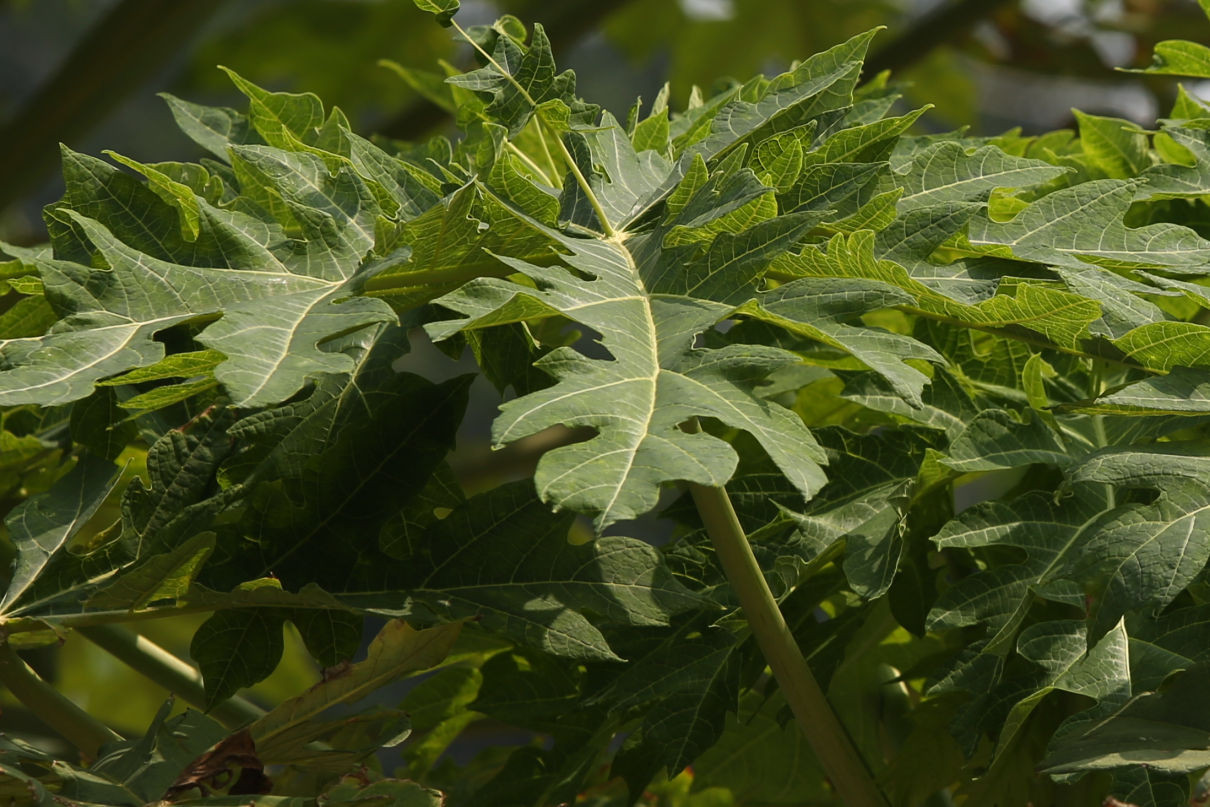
85, 73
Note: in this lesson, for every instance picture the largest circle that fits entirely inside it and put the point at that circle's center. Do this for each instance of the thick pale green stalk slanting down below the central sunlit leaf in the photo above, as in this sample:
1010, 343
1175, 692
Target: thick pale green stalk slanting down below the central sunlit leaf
823, 730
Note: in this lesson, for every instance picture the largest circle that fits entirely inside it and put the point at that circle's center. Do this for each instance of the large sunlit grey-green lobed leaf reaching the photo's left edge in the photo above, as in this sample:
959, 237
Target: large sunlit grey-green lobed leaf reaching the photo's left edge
274, 319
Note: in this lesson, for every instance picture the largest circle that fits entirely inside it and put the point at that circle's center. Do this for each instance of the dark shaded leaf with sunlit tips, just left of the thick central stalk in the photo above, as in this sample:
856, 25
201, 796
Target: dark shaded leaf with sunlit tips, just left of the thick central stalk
475, 564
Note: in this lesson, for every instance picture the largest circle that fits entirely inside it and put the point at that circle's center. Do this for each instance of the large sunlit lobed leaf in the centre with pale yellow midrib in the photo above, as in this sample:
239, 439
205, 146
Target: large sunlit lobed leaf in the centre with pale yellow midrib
648, 312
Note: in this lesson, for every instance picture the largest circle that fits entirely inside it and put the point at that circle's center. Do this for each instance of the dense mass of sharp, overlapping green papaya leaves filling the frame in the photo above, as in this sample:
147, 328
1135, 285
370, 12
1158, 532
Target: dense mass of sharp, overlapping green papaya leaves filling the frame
958, 389
